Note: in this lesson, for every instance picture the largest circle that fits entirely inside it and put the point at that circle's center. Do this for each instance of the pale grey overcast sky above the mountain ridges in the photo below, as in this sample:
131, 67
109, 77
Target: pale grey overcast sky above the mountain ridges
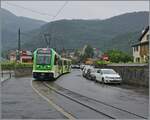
44, 10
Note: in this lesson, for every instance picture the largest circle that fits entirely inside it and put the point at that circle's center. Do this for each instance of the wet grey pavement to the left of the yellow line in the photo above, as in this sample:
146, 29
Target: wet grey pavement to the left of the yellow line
19, 101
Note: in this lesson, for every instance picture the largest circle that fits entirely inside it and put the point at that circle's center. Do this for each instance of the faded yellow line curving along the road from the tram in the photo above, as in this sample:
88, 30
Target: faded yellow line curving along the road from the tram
53, 104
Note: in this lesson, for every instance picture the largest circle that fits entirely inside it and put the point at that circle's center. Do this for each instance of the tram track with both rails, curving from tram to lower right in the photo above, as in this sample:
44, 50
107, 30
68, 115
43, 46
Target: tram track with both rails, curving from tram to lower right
101, 107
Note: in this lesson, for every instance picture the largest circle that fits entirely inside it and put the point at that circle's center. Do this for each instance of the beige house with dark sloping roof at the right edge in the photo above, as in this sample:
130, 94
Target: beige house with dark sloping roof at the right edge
141, 48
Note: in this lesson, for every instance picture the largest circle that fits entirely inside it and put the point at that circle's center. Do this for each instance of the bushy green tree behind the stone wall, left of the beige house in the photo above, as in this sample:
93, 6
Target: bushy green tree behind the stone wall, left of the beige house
117, 56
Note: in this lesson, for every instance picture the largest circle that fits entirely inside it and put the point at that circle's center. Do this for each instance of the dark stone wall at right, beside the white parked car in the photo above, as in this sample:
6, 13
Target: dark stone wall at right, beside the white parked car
133, 74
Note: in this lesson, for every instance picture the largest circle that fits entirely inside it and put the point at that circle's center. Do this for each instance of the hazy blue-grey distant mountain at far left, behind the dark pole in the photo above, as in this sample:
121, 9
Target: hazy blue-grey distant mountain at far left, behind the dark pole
10, 25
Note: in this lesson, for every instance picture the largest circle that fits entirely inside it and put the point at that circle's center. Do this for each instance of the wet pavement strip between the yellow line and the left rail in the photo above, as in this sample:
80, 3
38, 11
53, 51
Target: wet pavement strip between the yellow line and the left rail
75, 109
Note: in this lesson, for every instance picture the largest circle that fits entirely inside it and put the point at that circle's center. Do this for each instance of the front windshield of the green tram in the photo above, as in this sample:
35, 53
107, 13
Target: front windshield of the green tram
43, 59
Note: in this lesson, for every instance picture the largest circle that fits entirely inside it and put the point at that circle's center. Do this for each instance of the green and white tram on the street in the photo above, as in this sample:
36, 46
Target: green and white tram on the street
48, 64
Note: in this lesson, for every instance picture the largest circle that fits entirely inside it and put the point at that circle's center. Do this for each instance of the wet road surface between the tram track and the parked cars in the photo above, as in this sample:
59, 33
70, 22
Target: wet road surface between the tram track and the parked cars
121, 96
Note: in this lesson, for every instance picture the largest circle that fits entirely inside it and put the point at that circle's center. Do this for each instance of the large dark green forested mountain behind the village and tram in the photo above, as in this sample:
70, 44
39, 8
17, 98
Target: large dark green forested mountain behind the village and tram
115, 32
